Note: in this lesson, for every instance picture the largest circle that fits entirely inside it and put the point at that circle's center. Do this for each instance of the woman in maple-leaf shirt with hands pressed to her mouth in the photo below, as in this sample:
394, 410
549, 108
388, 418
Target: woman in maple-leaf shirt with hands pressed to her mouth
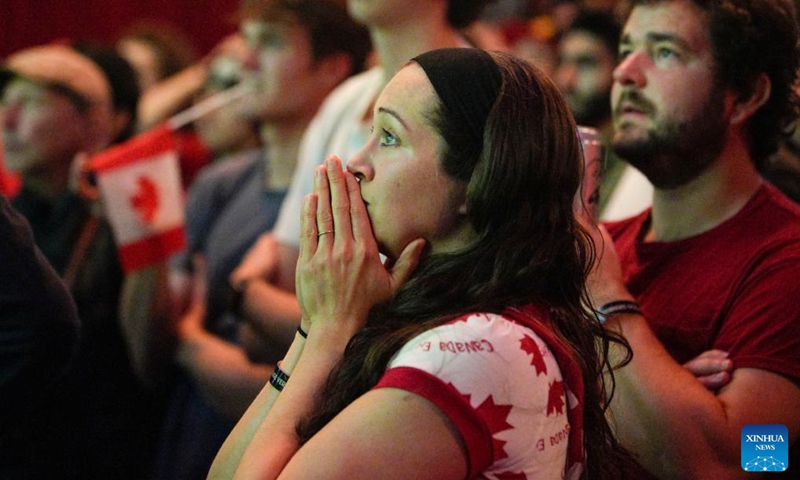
472, 348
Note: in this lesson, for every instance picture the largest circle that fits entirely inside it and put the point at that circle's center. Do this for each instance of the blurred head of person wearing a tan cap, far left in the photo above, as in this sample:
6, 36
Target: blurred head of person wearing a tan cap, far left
56, 103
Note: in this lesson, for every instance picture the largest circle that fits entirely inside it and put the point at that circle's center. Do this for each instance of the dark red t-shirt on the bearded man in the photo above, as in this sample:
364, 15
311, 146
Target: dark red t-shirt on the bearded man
735, 287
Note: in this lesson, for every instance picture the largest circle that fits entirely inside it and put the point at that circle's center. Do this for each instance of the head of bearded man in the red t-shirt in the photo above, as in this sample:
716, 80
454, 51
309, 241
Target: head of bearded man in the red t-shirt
693, 71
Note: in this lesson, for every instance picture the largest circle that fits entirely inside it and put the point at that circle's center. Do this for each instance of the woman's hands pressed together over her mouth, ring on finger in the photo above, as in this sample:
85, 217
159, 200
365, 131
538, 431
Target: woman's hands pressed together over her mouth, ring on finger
340, 275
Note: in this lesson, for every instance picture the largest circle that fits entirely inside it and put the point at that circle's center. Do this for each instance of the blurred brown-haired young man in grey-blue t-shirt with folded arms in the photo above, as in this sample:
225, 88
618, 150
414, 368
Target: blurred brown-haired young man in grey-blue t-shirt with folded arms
299, 51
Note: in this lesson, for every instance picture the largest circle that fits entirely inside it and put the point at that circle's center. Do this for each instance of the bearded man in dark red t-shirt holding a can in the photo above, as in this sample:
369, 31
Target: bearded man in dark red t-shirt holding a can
701, 95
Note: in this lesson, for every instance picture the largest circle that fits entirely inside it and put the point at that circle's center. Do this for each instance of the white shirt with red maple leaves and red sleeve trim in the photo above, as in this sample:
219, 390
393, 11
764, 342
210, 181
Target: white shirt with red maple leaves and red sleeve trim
504, 389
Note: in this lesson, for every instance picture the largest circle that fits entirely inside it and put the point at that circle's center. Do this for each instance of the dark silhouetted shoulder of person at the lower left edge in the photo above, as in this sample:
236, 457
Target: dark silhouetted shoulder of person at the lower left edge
39, 329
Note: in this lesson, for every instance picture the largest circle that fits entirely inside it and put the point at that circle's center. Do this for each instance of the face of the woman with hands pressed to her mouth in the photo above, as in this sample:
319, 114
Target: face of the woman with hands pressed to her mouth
407, 194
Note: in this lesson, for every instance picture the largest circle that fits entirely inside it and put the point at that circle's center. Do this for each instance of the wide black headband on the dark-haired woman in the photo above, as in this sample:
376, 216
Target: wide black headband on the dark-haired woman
467, 80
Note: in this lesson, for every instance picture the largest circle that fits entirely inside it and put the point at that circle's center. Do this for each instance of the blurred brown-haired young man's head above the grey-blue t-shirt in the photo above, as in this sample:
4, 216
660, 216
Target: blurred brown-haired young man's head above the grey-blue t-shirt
300, 51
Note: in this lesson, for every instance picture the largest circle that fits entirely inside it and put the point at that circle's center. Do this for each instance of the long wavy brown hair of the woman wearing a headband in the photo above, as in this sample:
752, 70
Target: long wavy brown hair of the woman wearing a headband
520, 188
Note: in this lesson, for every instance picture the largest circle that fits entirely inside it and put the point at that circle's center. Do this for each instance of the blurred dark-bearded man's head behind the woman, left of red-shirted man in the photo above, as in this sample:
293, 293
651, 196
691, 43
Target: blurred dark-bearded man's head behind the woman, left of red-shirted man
587, 55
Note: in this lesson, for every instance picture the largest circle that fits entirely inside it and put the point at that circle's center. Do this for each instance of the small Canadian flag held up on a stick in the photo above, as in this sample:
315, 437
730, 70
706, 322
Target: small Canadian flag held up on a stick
140, 183
